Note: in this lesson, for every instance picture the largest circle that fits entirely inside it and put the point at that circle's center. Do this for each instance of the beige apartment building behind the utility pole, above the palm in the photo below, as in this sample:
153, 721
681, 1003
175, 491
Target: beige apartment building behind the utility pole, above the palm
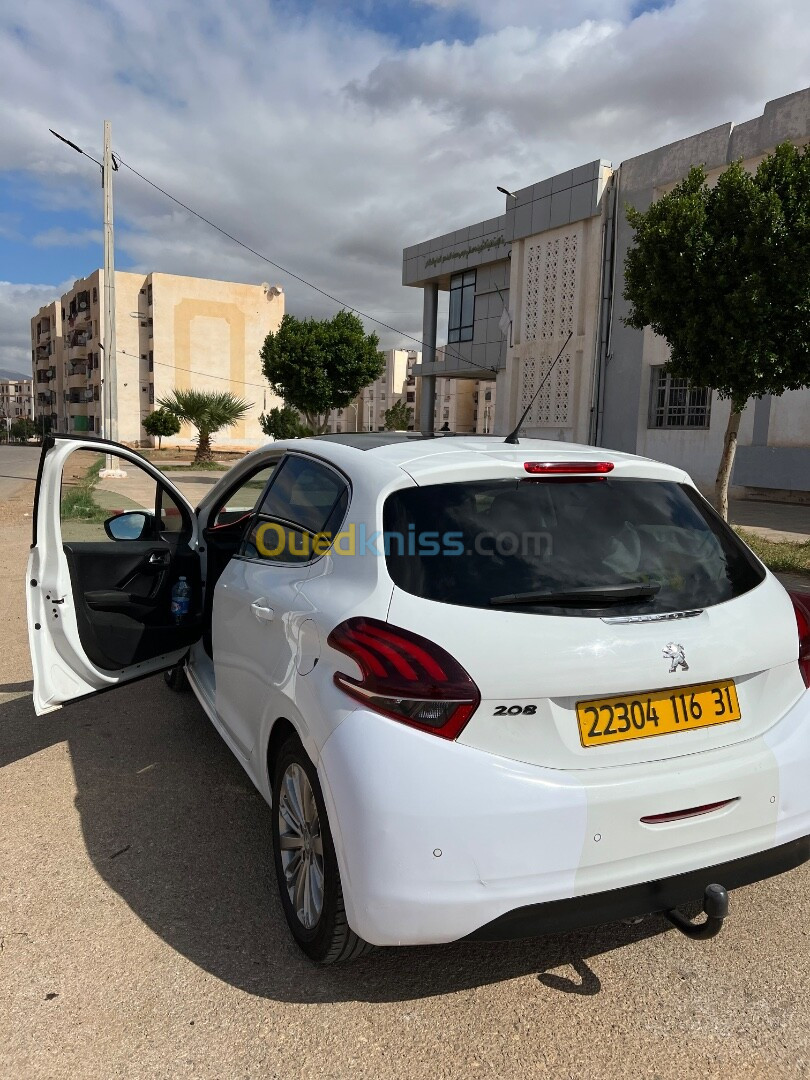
172, 333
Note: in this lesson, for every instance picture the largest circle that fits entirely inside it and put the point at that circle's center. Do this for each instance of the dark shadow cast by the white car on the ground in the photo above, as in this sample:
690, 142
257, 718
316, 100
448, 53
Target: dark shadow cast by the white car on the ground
175, 828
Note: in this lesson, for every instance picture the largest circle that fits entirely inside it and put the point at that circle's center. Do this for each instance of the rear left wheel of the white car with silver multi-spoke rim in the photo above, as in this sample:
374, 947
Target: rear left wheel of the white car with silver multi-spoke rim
306, 866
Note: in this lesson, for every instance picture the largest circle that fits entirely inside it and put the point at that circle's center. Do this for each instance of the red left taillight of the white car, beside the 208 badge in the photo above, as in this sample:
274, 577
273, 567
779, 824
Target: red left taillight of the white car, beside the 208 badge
406, 677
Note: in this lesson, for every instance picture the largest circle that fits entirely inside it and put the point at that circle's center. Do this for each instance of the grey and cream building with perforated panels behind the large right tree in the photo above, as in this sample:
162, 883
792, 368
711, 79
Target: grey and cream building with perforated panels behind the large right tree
546, 278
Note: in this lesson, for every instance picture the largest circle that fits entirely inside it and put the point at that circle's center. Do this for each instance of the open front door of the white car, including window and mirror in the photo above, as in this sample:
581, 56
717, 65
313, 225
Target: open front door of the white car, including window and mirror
106, 555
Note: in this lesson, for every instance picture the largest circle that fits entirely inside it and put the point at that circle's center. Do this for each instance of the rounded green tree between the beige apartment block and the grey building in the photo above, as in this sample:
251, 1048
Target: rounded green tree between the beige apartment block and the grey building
318, 366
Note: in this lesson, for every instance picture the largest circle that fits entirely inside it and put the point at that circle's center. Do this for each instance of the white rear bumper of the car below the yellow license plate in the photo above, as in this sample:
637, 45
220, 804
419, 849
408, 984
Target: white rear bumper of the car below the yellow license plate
439, 842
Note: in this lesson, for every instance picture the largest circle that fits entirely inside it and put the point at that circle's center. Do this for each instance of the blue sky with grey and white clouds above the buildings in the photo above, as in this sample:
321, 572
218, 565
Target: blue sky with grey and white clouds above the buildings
330, 134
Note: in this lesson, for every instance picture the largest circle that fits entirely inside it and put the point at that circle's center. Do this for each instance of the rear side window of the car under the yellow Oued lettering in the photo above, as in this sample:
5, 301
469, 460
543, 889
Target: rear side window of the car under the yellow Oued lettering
304, 508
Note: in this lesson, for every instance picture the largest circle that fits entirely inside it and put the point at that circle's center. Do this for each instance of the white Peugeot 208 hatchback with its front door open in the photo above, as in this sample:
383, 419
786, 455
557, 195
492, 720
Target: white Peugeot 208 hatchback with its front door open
489, 691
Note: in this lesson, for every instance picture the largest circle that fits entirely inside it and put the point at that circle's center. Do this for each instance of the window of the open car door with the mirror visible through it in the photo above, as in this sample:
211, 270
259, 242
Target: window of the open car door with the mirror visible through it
97, 509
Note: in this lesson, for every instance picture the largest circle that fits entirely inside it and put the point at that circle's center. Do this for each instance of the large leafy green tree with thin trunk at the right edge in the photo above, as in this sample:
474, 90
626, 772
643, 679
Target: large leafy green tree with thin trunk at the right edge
723, 275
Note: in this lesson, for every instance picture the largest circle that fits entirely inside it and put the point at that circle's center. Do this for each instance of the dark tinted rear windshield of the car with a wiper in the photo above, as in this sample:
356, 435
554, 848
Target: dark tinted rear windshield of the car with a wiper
600, 548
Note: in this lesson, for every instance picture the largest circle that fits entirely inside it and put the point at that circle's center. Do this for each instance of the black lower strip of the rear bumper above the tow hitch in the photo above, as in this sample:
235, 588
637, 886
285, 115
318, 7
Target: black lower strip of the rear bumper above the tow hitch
560, 916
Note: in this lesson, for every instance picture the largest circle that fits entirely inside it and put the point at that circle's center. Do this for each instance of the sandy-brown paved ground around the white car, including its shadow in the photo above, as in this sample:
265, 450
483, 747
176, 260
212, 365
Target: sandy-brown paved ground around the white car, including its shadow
141, 934
